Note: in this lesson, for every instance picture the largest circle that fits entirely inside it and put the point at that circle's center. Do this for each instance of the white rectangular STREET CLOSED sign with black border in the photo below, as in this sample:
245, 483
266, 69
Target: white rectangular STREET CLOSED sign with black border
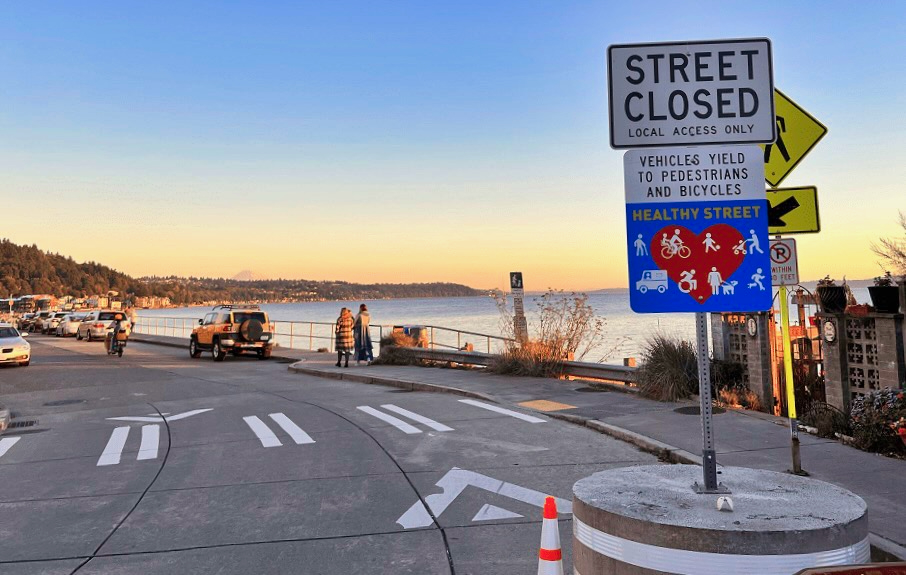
691, 93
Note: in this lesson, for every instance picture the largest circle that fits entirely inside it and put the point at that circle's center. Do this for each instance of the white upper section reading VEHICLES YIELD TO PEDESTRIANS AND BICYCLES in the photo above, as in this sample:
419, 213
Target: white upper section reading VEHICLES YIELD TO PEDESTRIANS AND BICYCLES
684, 175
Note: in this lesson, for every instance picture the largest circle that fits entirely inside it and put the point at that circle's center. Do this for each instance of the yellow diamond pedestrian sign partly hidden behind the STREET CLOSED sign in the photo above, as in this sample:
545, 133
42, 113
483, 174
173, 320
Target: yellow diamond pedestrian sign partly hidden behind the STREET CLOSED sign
797, 133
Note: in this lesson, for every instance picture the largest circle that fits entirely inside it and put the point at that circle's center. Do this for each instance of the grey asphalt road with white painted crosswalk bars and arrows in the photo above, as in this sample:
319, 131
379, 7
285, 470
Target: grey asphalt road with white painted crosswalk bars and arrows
157, 463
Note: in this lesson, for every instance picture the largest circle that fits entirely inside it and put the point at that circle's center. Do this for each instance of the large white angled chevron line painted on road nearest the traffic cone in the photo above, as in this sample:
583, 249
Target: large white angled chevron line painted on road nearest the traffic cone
455, 482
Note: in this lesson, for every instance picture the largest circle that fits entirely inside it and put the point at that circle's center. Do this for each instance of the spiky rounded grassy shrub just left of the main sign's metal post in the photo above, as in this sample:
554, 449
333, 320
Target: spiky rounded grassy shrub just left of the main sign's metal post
670, 369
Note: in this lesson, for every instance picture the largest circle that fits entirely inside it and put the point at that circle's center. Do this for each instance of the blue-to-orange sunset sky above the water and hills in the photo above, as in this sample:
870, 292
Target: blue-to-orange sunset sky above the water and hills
401, 141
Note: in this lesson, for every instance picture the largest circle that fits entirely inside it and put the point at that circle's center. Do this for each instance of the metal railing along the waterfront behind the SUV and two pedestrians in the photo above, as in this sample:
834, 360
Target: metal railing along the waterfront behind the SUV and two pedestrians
315, 335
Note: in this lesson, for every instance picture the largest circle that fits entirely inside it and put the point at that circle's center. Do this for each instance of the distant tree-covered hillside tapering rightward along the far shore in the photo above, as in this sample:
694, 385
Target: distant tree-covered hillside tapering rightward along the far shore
29, 270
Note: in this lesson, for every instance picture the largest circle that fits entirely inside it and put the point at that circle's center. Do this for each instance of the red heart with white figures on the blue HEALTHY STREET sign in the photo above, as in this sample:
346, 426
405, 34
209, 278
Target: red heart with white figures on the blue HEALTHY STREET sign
700, 264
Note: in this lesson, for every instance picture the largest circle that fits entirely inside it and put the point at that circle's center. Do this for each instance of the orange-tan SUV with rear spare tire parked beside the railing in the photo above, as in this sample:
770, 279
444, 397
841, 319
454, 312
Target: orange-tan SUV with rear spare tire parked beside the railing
233, 329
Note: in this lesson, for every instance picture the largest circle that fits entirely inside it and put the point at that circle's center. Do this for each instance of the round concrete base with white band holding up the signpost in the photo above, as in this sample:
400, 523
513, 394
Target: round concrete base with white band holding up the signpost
647, 520
